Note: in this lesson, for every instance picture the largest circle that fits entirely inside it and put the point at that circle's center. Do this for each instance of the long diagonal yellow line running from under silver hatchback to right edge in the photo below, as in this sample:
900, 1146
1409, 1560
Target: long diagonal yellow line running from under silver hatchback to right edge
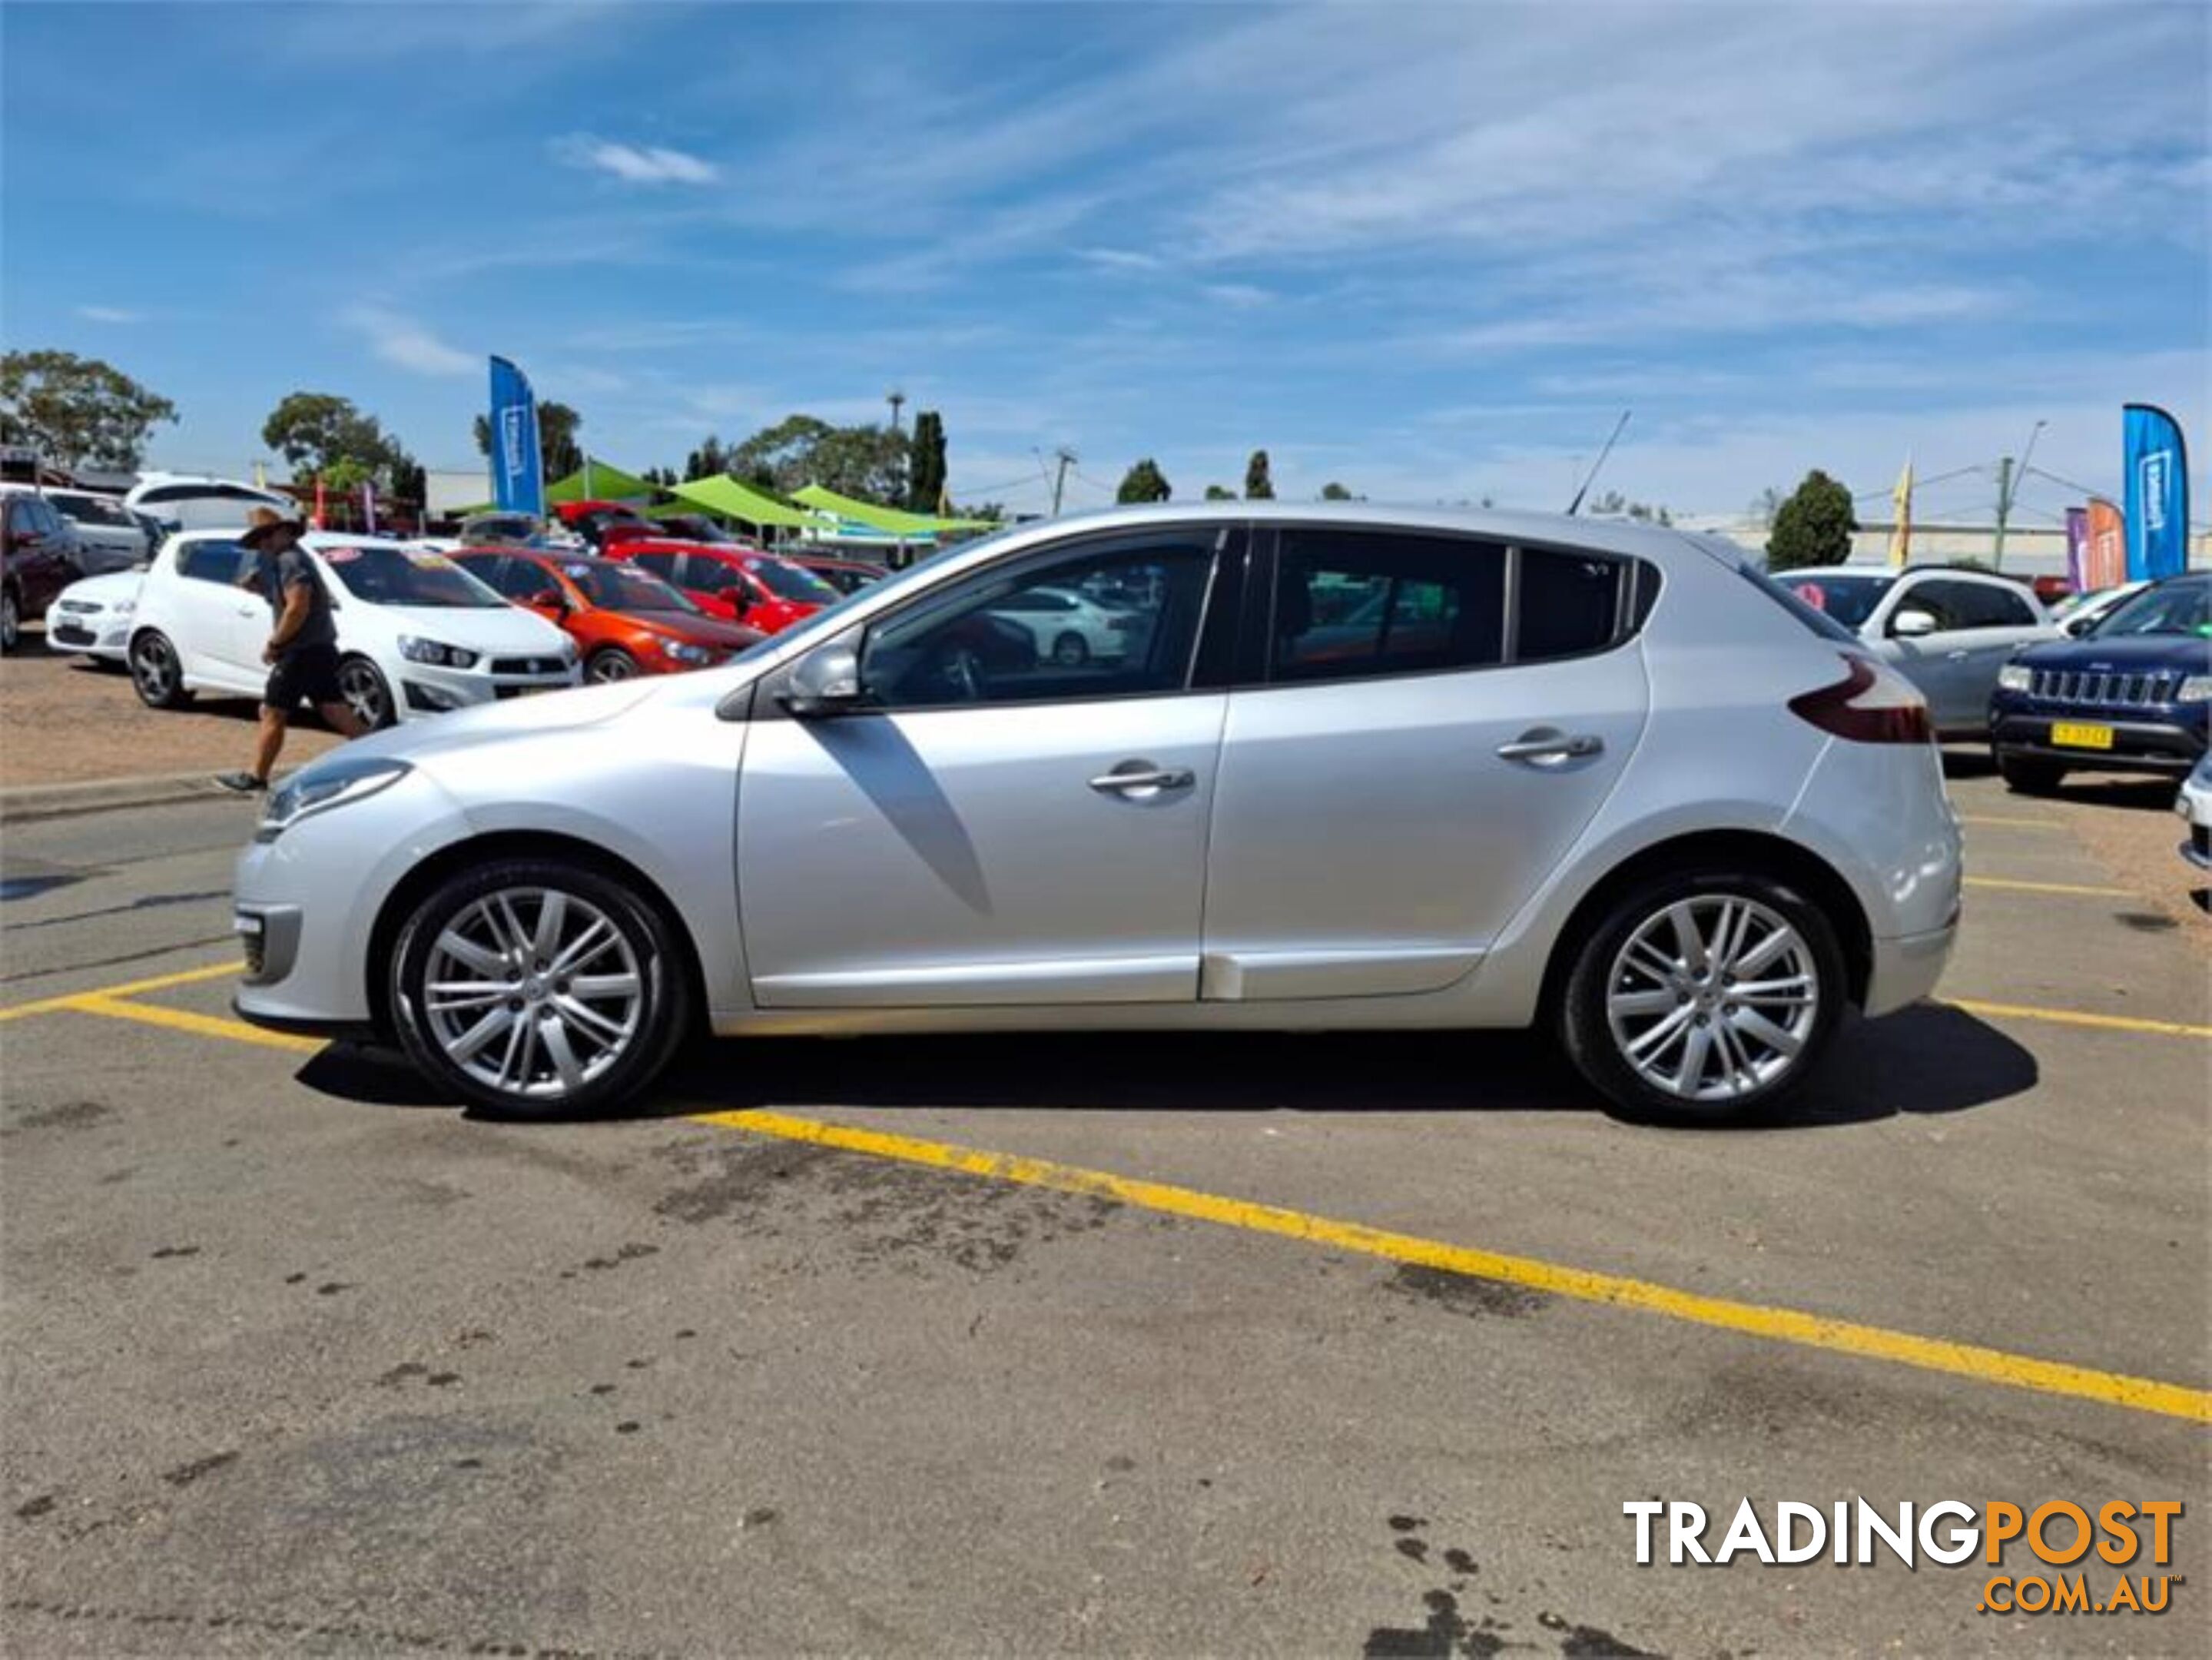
1753, 1320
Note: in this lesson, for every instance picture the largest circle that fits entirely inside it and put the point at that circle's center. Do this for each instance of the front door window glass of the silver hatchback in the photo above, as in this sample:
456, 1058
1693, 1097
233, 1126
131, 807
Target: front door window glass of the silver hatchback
990, 643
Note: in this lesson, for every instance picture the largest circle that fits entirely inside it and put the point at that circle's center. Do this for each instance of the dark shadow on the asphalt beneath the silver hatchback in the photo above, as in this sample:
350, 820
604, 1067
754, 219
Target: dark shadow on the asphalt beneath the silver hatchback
1928, 1059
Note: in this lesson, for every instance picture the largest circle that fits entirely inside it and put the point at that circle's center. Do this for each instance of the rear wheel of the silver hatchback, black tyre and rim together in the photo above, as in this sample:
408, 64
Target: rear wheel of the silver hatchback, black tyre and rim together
1704, 995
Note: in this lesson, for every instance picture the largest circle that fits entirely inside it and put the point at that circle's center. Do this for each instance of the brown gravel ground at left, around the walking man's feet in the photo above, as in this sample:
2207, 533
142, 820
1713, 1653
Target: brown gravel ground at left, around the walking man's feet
67, 723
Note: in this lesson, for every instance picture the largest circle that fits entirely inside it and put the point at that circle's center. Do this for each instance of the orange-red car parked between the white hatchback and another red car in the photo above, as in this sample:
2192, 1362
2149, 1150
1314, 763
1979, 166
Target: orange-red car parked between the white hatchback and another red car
623, 621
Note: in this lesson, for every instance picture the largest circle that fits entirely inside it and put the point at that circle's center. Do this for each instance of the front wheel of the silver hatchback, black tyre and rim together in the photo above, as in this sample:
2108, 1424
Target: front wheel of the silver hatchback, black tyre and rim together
539, 988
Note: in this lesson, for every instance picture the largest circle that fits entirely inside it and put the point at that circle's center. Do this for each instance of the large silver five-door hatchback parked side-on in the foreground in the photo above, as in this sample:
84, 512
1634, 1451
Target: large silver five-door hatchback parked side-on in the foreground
1319, 769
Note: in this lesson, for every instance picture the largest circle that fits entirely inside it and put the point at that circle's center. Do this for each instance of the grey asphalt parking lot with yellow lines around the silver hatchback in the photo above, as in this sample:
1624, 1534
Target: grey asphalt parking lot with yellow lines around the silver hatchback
1083, 1347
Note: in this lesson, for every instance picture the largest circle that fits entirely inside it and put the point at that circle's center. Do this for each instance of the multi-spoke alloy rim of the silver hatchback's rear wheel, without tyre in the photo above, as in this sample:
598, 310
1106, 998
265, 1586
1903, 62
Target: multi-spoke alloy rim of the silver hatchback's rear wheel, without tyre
1713, 999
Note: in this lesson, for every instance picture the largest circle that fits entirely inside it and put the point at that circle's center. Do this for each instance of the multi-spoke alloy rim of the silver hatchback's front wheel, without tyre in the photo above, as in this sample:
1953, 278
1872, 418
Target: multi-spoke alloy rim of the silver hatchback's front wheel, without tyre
534, 993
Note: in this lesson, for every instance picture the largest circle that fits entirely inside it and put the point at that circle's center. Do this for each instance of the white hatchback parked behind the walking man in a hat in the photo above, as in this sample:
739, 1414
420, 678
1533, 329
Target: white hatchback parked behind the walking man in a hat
417, 634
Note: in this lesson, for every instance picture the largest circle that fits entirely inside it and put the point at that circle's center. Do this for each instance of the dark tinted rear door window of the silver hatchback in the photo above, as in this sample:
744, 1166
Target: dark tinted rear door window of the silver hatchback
1353, 605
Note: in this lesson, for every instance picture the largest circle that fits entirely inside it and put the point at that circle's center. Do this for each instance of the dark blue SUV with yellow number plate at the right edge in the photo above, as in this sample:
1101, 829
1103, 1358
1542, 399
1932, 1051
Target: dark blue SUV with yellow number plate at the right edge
2131, 696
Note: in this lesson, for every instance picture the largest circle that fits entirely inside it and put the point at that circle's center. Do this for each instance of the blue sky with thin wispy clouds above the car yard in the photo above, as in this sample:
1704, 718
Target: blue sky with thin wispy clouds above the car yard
1426, 251
